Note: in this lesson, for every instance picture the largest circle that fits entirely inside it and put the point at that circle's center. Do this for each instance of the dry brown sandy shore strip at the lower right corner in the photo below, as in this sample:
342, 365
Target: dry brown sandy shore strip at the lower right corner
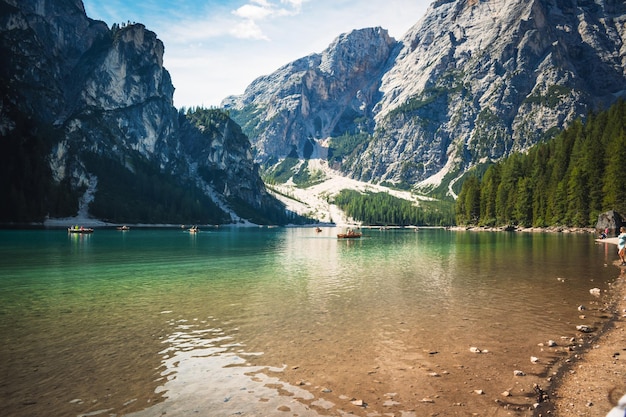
592, 382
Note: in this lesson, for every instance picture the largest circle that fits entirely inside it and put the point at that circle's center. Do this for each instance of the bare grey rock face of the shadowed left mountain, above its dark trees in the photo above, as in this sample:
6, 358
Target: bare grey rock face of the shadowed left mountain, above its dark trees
105, 92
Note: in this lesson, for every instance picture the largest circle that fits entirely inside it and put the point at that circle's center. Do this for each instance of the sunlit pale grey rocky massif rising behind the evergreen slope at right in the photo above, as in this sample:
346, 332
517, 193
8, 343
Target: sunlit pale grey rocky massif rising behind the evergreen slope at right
468, 84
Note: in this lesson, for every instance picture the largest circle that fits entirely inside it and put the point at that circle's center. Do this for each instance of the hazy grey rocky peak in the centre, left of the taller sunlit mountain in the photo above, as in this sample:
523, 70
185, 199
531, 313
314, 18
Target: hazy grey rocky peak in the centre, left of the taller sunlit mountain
317, 96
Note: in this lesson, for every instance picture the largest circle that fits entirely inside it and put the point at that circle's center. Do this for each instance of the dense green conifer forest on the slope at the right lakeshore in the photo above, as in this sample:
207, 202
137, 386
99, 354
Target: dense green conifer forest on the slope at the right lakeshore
567, 181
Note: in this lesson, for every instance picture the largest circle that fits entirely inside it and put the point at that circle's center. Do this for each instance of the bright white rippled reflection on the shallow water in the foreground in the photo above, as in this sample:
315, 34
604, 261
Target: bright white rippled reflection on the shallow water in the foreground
206, 371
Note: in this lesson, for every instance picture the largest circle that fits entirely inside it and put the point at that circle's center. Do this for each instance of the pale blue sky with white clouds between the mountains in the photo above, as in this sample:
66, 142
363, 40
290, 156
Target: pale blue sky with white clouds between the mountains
215, 48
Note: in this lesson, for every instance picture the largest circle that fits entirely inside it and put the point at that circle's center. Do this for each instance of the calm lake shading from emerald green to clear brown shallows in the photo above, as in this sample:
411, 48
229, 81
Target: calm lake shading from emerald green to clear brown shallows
287, 321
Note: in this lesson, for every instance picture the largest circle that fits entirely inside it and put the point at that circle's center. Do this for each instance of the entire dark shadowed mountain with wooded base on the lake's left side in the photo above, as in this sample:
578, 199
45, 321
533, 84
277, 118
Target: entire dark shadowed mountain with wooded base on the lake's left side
87, 123
